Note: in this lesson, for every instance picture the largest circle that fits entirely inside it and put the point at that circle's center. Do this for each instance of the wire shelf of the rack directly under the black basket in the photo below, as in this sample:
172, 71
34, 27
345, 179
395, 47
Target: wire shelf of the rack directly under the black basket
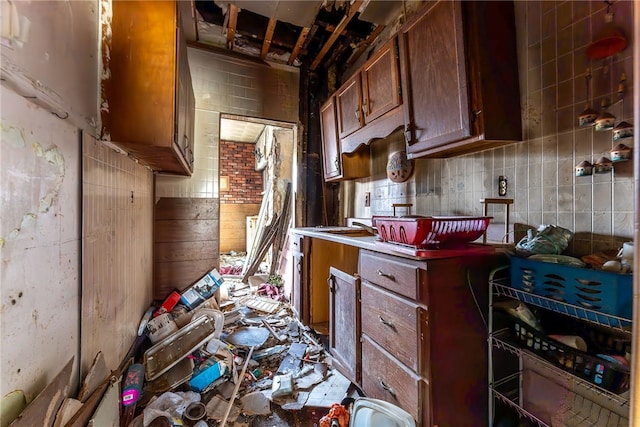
499, 340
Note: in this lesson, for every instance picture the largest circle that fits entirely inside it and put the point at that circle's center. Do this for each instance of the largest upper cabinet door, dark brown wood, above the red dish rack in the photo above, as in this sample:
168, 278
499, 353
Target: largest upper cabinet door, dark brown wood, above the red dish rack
434, 78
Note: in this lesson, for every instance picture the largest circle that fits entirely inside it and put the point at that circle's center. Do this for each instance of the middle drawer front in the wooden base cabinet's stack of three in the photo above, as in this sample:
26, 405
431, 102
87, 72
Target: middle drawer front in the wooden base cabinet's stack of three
392, 322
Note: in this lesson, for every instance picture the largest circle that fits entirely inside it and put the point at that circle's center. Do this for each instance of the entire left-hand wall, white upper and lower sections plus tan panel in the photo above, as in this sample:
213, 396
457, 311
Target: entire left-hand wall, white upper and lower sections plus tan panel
50, 64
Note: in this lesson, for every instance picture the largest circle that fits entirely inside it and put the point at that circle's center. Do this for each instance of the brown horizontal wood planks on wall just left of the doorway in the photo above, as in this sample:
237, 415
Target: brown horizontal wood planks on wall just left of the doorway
186, 242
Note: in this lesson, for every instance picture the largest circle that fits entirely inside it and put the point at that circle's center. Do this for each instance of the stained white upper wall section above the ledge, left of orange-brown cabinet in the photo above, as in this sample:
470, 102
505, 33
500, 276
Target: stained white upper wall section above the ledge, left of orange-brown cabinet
50, 52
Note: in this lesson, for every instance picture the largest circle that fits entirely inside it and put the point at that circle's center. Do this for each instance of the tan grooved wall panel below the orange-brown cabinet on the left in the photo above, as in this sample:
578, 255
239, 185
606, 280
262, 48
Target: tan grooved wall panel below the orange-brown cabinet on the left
117, 231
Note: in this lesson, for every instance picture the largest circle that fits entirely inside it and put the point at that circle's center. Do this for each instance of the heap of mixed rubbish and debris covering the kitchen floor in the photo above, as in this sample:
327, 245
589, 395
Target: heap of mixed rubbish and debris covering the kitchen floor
241, 359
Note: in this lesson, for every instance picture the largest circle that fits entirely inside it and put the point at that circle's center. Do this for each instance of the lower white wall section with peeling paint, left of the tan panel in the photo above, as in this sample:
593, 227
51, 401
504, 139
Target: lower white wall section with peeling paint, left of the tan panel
39, 244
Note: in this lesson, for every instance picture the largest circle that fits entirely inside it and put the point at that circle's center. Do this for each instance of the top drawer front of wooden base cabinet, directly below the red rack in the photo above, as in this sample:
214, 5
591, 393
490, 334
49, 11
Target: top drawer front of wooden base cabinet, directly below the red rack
396, 274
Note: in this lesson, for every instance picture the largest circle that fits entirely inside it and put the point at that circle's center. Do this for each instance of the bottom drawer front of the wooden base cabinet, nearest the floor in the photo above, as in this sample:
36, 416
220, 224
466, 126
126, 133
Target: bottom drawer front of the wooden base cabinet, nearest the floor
385, 378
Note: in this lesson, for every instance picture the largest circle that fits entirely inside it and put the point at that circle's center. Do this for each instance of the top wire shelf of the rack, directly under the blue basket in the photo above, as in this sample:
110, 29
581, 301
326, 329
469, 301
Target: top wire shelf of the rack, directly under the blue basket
501, 288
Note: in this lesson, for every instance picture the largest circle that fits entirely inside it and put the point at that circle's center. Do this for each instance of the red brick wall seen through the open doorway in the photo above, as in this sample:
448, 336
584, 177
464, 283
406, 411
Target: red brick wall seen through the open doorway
237, 162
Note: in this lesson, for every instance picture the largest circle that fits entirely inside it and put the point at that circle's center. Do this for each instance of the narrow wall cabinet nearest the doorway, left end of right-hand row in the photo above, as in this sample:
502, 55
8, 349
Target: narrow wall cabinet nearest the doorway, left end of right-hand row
337, 166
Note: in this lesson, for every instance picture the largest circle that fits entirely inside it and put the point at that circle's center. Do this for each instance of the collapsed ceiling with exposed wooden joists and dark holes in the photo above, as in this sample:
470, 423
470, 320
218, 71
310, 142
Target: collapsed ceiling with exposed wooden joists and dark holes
311, 33
